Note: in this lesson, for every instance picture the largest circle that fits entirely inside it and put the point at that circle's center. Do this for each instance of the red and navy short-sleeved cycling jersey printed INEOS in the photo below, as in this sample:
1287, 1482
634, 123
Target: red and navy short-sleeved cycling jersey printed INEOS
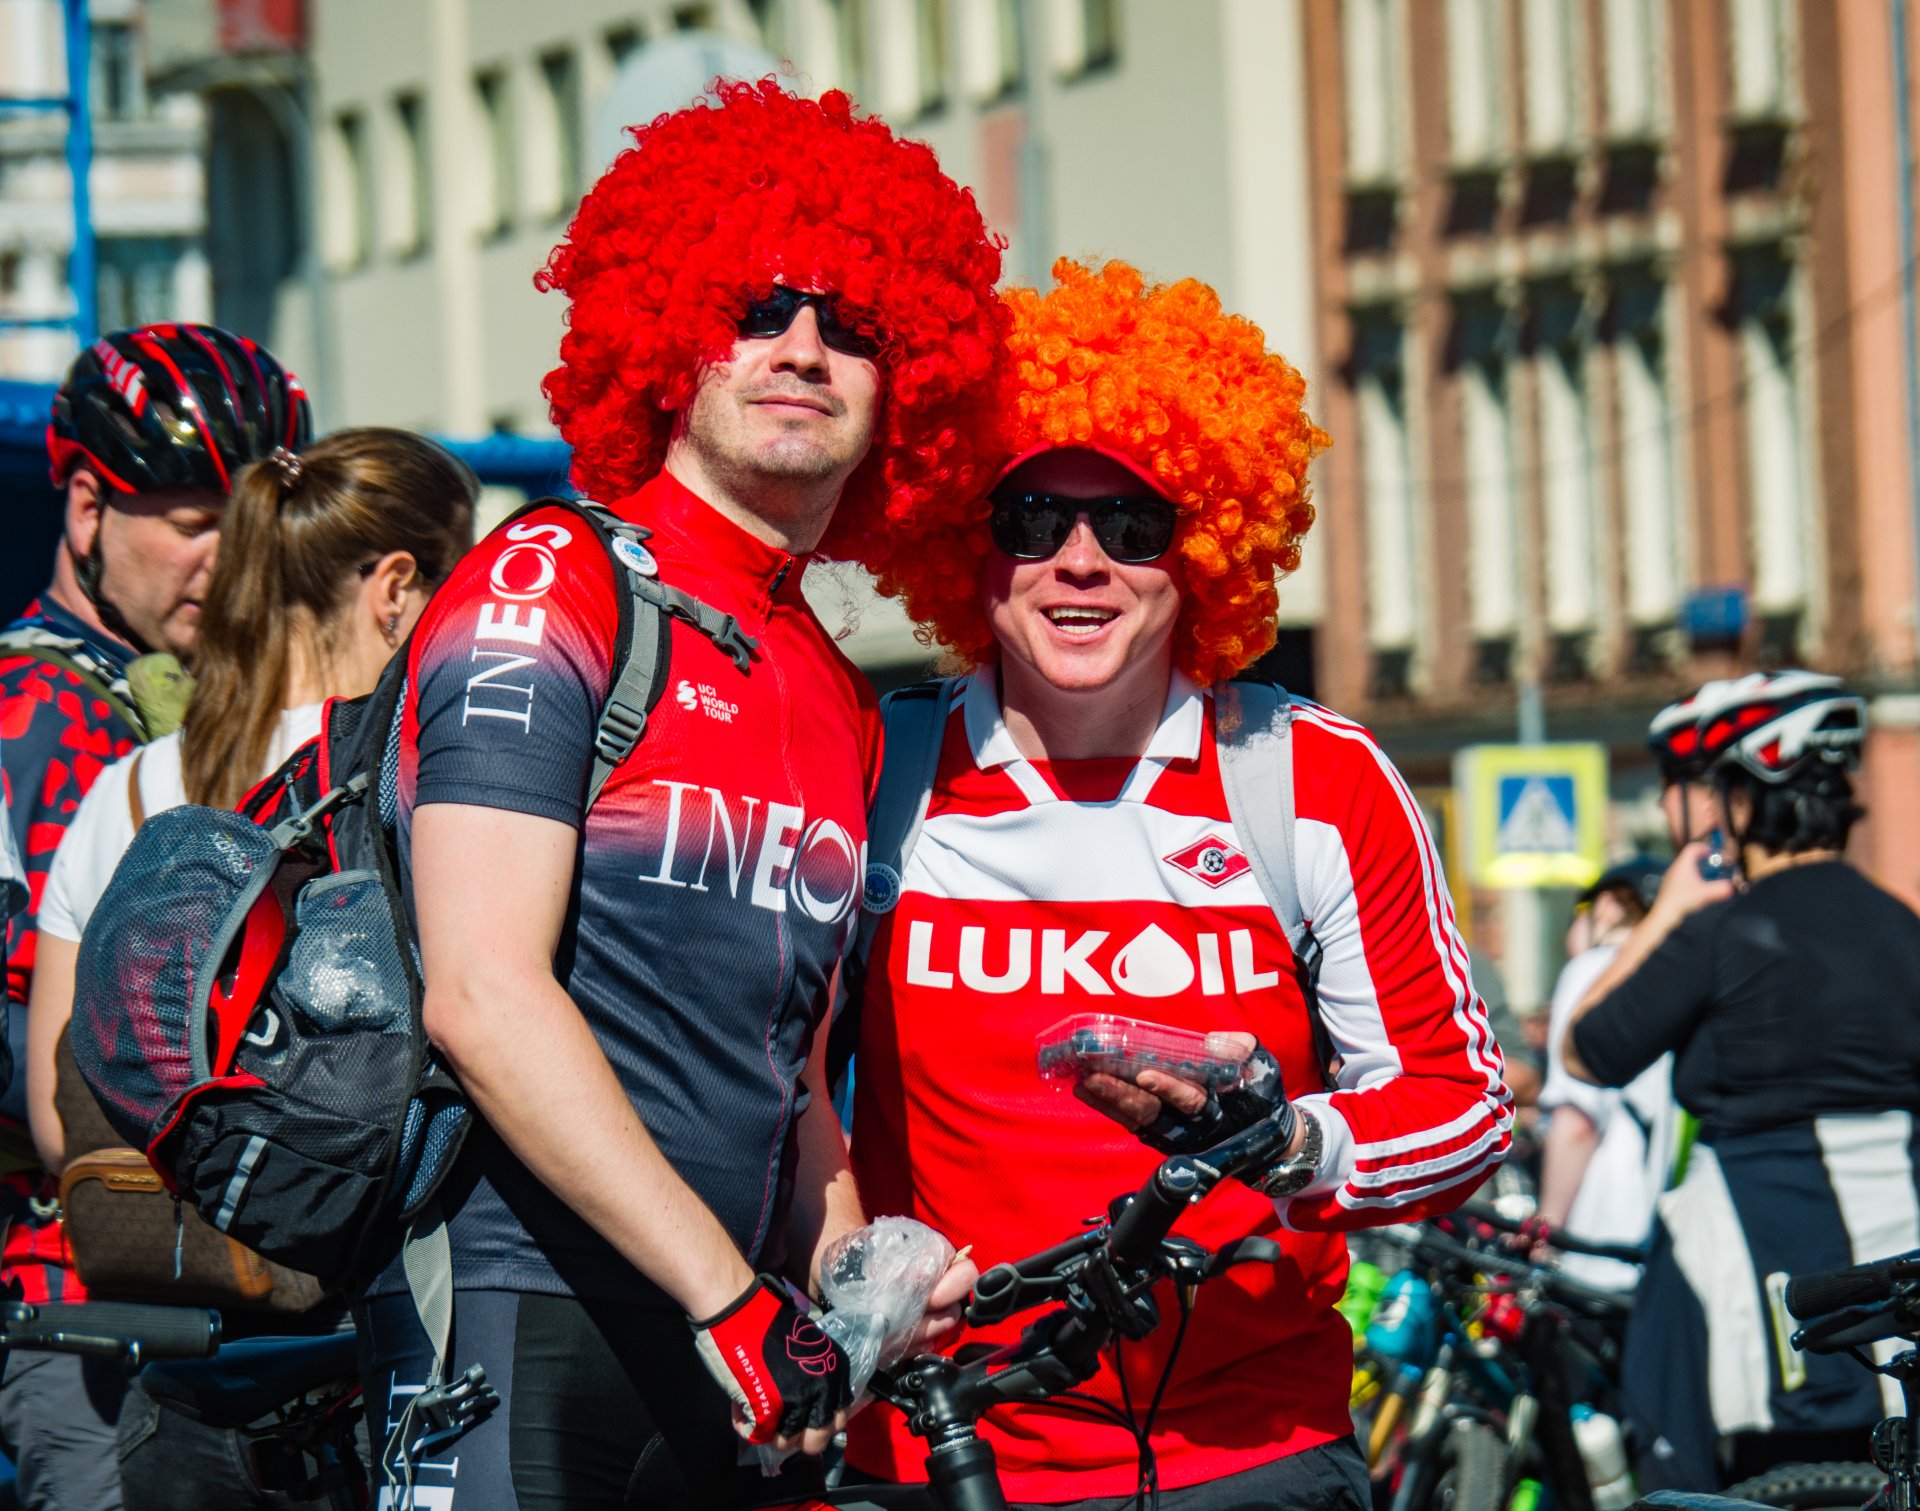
719, 871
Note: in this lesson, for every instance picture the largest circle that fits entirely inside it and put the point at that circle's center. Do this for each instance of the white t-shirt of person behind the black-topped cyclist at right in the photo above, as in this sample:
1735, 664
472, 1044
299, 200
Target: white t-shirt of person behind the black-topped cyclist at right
1635, 1126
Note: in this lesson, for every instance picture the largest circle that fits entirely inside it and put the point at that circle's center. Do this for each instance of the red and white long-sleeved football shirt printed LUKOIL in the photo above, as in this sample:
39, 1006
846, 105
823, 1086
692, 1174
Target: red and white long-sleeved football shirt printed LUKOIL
1044, 890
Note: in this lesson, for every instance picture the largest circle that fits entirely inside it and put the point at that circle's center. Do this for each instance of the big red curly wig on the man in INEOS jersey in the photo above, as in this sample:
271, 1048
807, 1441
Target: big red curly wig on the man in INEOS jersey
709, 210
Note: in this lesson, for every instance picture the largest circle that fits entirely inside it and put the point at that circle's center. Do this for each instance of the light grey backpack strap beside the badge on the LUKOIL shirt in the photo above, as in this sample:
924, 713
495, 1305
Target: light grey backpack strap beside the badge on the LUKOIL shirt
1257, 767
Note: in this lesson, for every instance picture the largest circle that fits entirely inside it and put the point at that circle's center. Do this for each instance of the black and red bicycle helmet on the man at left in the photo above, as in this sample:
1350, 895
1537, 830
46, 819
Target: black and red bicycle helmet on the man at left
174, 406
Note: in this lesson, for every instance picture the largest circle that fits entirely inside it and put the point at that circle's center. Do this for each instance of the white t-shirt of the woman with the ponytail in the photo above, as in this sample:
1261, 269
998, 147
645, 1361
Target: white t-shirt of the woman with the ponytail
103, 828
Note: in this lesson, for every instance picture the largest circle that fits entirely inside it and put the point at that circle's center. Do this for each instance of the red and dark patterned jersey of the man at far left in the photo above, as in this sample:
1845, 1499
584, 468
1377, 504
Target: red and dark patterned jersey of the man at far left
55, 740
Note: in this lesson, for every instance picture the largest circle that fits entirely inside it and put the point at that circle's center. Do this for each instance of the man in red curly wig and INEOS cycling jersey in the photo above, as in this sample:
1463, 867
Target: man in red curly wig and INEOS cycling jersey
780, 320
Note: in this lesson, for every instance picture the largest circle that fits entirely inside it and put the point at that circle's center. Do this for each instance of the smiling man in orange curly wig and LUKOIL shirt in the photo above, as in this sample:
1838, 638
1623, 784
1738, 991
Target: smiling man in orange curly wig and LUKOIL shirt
1088, 844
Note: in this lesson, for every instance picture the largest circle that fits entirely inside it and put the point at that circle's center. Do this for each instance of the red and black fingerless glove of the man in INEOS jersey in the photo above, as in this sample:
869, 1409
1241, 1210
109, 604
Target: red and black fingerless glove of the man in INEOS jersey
782, 1372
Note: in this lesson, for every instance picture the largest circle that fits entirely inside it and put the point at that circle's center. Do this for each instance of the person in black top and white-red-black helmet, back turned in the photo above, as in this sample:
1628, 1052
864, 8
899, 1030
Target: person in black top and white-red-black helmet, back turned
1792, 1009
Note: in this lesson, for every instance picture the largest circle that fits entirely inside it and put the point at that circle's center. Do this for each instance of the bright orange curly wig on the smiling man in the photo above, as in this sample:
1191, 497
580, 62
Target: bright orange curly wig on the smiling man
1191, 395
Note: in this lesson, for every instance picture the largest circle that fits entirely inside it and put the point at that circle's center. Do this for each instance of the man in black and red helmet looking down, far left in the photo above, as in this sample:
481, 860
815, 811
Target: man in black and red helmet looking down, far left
149, 431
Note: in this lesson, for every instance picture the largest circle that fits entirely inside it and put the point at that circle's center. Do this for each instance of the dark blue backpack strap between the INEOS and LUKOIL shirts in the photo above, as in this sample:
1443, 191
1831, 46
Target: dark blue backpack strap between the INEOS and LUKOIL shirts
915, 719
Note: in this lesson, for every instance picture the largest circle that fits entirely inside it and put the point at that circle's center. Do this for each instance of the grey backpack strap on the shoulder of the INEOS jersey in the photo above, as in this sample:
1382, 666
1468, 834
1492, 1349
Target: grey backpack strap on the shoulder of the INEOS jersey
644, 636
